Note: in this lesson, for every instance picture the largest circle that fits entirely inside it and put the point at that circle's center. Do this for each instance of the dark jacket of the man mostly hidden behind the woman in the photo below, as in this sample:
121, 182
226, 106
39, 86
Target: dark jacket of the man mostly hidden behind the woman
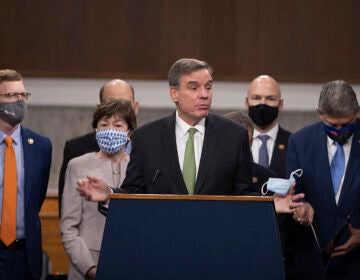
74, 148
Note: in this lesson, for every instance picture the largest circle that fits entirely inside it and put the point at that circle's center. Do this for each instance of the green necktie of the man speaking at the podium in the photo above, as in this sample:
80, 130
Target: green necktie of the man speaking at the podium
189, 167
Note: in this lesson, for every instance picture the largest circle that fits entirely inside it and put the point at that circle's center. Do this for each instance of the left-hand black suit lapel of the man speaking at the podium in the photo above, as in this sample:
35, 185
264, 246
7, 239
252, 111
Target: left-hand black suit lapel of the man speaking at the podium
170, 153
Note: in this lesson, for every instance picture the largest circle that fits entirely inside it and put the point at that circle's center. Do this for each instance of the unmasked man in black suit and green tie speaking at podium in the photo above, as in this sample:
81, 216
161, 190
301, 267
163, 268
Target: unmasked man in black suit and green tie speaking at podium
220, 158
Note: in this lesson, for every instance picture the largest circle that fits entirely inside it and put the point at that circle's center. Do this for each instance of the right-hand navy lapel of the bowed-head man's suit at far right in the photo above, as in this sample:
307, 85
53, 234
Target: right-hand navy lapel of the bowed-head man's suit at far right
353, 165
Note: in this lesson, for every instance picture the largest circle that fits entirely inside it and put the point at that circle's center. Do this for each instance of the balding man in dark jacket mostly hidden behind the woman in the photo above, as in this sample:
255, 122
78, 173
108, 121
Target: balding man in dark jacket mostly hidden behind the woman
113, 89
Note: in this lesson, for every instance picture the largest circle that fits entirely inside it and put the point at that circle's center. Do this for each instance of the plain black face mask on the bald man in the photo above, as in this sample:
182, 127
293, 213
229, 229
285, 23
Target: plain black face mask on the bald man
263, 115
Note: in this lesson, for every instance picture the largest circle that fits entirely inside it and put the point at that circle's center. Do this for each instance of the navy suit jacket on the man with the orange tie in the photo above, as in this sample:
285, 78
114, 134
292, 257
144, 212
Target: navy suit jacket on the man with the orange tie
37, 161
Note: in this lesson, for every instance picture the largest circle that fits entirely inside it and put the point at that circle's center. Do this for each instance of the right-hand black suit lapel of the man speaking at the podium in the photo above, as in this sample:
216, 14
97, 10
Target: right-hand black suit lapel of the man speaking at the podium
207, 152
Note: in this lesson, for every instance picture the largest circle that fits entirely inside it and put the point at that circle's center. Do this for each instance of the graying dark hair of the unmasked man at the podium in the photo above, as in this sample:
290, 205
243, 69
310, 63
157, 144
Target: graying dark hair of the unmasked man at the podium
185, 66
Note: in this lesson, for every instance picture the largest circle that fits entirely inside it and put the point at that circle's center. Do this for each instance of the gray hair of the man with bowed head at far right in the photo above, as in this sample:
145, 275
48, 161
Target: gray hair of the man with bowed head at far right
337, 98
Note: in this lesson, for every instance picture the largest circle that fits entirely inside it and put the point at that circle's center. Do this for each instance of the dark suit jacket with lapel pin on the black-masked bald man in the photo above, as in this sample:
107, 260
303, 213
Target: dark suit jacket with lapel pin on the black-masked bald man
278, 159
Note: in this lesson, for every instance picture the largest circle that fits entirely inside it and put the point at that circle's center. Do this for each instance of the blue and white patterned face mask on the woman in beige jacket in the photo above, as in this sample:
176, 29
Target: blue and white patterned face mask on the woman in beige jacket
111, 141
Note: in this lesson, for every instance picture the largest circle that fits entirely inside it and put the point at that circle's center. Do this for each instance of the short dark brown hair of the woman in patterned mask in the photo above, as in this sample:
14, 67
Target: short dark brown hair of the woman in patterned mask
115, 107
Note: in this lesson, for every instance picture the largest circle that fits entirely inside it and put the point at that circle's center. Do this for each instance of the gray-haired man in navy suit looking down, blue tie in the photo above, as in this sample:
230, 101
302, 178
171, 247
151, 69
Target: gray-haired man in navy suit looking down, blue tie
329, 153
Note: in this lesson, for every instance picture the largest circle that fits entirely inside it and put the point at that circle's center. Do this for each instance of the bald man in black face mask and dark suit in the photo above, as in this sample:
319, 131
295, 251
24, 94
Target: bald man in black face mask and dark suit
264, 103
